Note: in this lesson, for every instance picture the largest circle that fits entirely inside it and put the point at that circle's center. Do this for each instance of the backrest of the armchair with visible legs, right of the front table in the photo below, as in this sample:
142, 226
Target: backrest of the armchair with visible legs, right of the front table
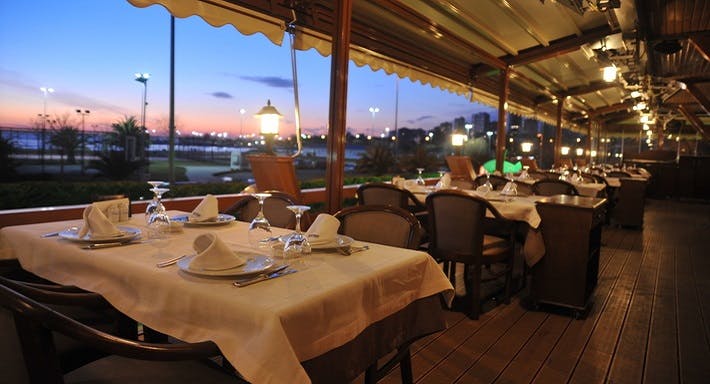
456, 225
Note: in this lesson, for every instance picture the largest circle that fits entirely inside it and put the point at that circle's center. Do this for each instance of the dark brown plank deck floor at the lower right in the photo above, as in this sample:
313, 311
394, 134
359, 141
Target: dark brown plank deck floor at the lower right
650, 321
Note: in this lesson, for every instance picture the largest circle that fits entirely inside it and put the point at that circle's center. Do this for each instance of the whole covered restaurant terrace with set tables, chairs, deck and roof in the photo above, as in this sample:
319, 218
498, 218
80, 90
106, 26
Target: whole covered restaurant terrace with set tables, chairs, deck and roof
586, 272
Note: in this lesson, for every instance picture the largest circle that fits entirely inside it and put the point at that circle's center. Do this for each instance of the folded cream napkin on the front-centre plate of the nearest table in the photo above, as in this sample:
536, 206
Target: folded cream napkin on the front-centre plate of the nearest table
213, 254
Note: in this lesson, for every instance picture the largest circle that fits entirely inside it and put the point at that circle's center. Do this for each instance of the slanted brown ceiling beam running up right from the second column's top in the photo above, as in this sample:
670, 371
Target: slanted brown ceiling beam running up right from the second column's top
557, 47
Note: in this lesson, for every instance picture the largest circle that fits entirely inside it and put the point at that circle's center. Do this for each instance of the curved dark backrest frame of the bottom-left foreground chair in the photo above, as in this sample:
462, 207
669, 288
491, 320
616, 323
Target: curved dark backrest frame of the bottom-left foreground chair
34, 322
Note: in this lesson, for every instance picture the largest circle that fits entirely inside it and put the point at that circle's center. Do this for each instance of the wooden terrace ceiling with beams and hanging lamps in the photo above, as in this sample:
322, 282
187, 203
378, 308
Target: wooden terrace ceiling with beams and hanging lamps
554, 52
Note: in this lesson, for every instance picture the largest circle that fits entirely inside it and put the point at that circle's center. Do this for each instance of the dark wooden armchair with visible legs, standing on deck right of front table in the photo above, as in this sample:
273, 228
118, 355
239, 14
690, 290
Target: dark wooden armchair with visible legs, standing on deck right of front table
457, 235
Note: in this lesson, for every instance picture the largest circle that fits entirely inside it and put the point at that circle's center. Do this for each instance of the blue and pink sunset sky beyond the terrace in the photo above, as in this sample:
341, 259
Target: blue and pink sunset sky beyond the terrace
88, 51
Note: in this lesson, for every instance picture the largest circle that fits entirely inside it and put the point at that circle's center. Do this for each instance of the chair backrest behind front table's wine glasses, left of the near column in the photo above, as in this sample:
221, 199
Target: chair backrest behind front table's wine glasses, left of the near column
274, 209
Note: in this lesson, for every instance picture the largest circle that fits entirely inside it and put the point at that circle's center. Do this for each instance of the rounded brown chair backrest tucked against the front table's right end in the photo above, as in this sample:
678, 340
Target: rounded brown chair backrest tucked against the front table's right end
382, 224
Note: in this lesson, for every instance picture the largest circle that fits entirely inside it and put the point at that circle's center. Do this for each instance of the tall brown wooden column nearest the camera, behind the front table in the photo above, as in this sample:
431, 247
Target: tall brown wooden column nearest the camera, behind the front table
335, 156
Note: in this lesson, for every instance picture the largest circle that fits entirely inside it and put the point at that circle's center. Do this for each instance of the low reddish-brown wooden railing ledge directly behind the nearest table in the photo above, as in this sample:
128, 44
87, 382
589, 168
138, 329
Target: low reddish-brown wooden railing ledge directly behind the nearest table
71, 212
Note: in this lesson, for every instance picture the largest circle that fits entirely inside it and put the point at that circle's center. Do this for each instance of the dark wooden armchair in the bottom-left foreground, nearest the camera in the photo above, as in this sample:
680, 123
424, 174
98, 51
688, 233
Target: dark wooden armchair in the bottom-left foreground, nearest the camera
130, 361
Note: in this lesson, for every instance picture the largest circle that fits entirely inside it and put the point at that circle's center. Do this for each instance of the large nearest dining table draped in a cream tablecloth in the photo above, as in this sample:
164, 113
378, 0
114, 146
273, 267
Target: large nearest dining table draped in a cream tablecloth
325, 323
